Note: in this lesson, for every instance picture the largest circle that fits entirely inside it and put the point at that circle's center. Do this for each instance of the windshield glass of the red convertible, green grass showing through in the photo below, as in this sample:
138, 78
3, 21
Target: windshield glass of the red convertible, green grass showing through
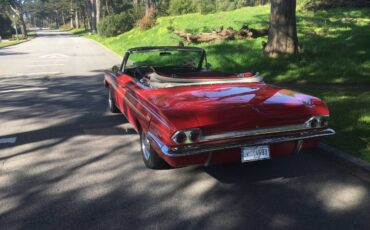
165, 58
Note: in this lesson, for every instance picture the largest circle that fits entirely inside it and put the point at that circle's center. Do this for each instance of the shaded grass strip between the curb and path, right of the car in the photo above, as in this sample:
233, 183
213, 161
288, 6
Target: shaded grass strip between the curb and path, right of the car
350, 117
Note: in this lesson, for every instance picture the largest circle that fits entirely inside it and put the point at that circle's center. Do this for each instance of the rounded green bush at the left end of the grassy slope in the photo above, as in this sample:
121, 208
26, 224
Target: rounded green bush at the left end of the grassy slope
115, 24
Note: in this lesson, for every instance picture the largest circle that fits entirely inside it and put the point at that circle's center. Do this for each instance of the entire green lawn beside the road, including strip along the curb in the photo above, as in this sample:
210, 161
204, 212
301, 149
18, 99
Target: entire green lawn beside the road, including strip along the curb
335, 48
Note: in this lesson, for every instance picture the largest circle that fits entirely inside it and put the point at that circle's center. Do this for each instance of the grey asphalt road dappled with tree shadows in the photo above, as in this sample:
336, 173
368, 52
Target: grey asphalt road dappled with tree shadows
66, 163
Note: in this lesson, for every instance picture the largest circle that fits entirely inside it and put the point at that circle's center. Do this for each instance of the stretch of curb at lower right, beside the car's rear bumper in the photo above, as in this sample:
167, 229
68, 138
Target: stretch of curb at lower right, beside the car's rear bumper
345, 157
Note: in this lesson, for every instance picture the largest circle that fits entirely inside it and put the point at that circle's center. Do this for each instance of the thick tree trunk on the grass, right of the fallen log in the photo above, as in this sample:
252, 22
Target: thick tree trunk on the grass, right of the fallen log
282, 37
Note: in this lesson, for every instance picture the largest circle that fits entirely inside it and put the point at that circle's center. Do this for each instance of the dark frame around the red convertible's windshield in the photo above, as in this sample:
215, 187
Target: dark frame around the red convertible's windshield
202, 61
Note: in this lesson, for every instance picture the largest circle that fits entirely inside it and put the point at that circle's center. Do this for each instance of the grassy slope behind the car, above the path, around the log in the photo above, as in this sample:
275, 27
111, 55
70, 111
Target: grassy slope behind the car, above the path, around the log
335, 44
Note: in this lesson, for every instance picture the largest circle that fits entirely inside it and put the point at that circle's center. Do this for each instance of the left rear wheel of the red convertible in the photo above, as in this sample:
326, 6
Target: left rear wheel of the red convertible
150, 157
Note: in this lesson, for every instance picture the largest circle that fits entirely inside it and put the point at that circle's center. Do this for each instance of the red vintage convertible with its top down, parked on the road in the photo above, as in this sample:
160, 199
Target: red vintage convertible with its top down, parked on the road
187, 114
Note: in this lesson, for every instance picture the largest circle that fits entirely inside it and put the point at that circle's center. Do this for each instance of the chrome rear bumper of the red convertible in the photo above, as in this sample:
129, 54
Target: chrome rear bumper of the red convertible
201, 148
